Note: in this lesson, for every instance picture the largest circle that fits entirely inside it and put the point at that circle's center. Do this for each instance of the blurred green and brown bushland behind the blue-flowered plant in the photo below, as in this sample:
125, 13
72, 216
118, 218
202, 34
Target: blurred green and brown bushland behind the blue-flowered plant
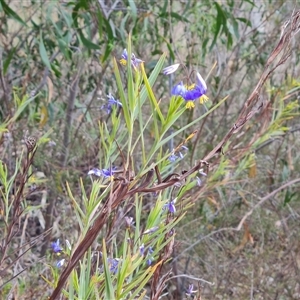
56, 72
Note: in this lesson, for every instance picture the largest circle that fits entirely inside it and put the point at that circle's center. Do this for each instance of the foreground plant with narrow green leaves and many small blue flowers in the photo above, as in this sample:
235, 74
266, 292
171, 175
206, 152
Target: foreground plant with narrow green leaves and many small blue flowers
133, 200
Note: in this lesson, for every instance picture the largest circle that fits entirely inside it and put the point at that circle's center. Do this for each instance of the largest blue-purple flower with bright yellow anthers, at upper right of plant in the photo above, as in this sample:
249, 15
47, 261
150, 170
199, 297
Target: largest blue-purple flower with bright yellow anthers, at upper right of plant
192, 92
